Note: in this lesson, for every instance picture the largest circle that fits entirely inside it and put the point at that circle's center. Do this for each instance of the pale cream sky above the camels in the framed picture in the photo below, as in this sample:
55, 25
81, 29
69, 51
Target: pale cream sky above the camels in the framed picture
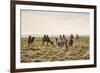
54, 23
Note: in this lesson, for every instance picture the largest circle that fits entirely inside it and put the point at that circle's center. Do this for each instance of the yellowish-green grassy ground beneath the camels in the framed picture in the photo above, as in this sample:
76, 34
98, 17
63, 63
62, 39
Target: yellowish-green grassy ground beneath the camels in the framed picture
38, 52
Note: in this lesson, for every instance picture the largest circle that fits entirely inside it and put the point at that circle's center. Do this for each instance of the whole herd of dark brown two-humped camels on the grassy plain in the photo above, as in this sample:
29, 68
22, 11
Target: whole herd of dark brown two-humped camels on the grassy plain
60, 41
